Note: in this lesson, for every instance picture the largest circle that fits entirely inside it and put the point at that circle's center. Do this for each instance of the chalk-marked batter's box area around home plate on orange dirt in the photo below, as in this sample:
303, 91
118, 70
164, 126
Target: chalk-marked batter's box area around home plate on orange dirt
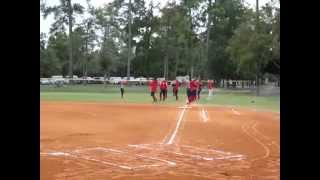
142, 156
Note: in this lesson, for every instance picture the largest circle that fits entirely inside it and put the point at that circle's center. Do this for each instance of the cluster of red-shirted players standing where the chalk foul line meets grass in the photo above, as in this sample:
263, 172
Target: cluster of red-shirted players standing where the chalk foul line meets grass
194, 88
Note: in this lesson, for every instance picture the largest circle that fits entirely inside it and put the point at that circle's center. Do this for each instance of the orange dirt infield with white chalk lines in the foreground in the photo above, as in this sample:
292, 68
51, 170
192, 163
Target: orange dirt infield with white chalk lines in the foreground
150, 141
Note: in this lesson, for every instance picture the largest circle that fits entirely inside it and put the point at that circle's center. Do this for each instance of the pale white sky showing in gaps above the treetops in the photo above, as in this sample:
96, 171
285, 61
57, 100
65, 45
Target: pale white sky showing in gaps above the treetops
45, 24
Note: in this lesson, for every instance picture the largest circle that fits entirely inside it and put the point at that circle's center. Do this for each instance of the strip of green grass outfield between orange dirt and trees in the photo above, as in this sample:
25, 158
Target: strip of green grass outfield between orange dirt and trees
110, 93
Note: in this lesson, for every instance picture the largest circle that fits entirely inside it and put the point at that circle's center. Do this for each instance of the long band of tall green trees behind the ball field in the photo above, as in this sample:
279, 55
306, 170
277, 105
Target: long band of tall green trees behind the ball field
219, 39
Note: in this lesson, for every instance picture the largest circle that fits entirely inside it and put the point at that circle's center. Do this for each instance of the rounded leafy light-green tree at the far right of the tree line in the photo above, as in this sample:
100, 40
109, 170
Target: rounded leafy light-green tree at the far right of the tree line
253, 45
